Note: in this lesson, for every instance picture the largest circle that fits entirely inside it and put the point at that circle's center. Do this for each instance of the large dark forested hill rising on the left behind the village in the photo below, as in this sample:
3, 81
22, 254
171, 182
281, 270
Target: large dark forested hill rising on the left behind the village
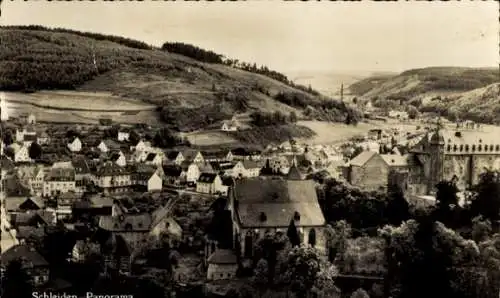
182, 77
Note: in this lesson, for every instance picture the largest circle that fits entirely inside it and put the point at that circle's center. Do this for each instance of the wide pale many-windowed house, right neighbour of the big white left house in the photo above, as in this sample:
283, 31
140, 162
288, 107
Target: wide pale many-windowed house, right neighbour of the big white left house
112, 178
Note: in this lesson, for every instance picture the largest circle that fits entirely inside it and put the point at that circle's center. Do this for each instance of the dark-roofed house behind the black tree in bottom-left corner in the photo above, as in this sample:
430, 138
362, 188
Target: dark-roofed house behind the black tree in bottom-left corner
37, 268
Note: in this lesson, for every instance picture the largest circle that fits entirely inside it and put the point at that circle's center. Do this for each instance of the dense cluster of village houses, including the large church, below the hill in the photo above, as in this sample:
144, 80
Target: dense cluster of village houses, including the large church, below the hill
88, 185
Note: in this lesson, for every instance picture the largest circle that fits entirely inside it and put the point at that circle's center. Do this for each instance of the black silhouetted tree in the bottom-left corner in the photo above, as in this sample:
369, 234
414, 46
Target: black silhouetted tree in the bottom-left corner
16, 282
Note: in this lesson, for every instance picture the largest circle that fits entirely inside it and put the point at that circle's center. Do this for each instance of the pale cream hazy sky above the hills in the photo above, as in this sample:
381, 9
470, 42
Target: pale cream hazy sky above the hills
293, 36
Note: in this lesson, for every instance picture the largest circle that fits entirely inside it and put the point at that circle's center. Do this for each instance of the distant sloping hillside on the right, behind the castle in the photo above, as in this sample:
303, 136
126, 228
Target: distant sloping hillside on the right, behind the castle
466, 93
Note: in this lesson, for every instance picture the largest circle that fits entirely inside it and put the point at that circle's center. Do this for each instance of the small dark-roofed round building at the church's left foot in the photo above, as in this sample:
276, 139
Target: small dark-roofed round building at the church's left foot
222, 264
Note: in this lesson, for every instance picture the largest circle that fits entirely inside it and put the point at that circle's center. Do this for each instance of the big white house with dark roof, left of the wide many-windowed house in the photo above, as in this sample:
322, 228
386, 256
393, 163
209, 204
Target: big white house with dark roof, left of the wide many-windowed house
59, 180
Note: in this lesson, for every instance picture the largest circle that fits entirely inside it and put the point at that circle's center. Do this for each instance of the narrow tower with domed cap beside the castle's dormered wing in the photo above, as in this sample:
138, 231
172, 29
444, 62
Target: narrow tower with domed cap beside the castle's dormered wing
436, 159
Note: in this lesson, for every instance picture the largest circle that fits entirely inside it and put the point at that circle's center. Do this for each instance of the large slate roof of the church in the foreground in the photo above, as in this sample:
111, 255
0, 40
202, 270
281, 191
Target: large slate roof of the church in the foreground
278, 199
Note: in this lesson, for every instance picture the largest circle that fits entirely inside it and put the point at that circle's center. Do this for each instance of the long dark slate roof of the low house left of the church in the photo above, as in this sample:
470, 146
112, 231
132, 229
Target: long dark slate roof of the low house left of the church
126, 222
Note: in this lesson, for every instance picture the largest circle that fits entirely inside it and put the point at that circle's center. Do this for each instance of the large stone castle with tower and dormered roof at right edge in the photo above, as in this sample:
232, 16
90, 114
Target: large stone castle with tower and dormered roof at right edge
461, 154
